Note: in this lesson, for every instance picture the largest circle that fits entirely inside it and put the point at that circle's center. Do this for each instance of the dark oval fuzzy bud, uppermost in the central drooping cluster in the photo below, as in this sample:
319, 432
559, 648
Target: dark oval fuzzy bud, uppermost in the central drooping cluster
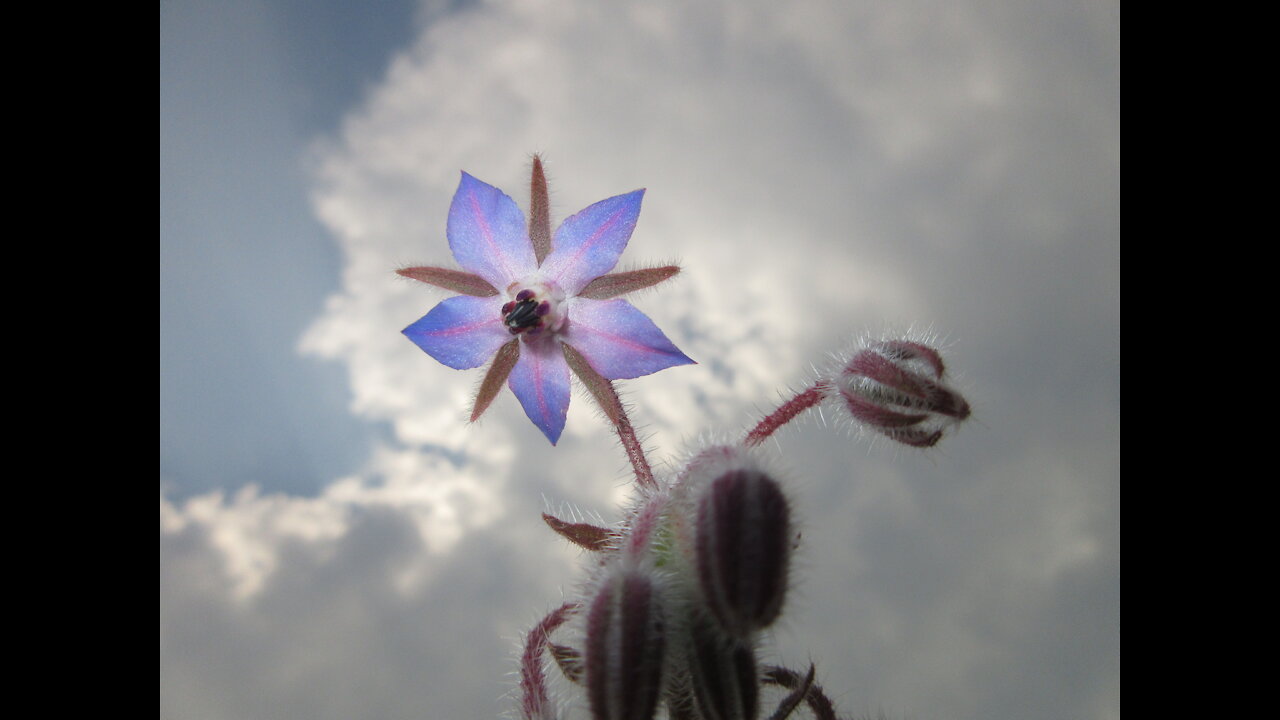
743, 545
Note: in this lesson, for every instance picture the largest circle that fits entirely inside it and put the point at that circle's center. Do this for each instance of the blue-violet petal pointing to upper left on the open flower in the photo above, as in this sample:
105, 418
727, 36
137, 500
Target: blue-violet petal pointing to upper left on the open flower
487, 234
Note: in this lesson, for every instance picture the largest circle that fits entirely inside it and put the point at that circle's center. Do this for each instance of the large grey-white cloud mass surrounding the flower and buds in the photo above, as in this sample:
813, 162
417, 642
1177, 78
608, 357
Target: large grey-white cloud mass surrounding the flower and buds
820, 170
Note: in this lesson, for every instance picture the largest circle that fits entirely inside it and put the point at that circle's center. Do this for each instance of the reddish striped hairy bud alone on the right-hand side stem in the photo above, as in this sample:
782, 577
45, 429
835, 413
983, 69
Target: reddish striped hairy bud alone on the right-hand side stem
895, 389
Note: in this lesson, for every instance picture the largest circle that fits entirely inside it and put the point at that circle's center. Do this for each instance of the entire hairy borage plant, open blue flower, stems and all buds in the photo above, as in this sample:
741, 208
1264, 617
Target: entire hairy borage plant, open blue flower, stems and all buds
680, 595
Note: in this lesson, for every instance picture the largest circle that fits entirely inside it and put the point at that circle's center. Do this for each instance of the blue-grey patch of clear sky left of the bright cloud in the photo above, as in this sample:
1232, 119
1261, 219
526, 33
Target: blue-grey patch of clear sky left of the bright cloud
245, 89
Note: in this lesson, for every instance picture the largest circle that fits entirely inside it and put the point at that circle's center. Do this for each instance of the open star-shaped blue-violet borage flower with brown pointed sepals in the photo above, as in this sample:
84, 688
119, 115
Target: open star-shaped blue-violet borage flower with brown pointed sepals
532, 300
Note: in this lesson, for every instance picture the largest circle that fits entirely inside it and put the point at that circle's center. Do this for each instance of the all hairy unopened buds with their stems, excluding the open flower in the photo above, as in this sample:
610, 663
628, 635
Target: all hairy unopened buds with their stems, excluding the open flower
673, 618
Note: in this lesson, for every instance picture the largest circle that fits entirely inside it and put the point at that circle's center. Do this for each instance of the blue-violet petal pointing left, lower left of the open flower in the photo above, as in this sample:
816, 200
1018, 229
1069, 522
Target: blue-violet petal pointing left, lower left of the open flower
461, 332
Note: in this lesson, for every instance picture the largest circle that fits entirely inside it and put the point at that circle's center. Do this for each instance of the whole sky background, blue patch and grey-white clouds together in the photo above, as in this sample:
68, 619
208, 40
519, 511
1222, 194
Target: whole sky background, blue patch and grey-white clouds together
336, 541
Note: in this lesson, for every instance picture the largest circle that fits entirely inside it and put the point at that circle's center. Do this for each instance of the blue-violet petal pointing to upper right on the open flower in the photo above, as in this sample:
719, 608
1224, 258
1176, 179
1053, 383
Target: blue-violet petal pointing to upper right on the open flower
589, 244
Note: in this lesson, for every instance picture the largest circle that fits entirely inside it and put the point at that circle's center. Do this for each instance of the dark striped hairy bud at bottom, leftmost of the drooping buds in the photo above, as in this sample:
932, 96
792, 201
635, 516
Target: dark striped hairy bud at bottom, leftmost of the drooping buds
625, 646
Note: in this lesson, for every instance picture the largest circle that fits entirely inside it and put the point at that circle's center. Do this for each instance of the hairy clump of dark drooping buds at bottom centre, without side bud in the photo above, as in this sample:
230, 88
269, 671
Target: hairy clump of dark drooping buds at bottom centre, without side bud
682, 594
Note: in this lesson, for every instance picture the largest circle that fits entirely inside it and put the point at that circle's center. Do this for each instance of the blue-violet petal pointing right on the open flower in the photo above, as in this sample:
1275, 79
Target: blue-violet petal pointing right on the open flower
618, 340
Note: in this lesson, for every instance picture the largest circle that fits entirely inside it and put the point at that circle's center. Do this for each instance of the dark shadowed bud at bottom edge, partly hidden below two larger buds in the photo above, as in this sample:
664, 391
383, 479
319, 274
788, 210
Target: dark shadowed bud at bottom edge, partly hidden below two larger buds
723, 675
